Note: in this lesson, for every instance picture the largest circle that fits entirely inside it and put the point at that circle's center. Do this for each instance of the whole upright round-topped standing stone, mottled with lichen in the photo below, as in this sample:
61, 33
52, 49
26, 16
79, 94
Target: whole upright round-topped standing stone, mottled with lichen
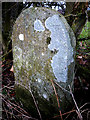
43, 50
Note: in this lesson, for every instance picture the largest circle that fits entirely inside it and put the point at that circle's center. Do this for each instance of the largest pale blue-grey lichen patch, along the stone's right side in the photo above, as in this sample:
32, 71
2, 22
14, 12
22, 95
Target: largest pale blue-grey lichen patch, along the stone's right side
60, 42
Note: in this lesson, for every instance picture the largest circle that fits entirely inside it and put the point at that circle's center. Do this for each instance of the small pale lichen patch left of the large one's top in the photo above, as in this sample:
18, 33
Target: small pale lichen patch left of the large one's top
38, 26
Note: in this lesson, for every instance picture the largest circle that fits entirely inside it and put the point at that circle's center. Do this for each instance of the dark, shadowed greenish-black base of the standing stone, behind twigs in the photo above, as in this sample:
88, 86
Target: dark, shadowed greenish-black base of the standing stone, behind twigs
48, 109
